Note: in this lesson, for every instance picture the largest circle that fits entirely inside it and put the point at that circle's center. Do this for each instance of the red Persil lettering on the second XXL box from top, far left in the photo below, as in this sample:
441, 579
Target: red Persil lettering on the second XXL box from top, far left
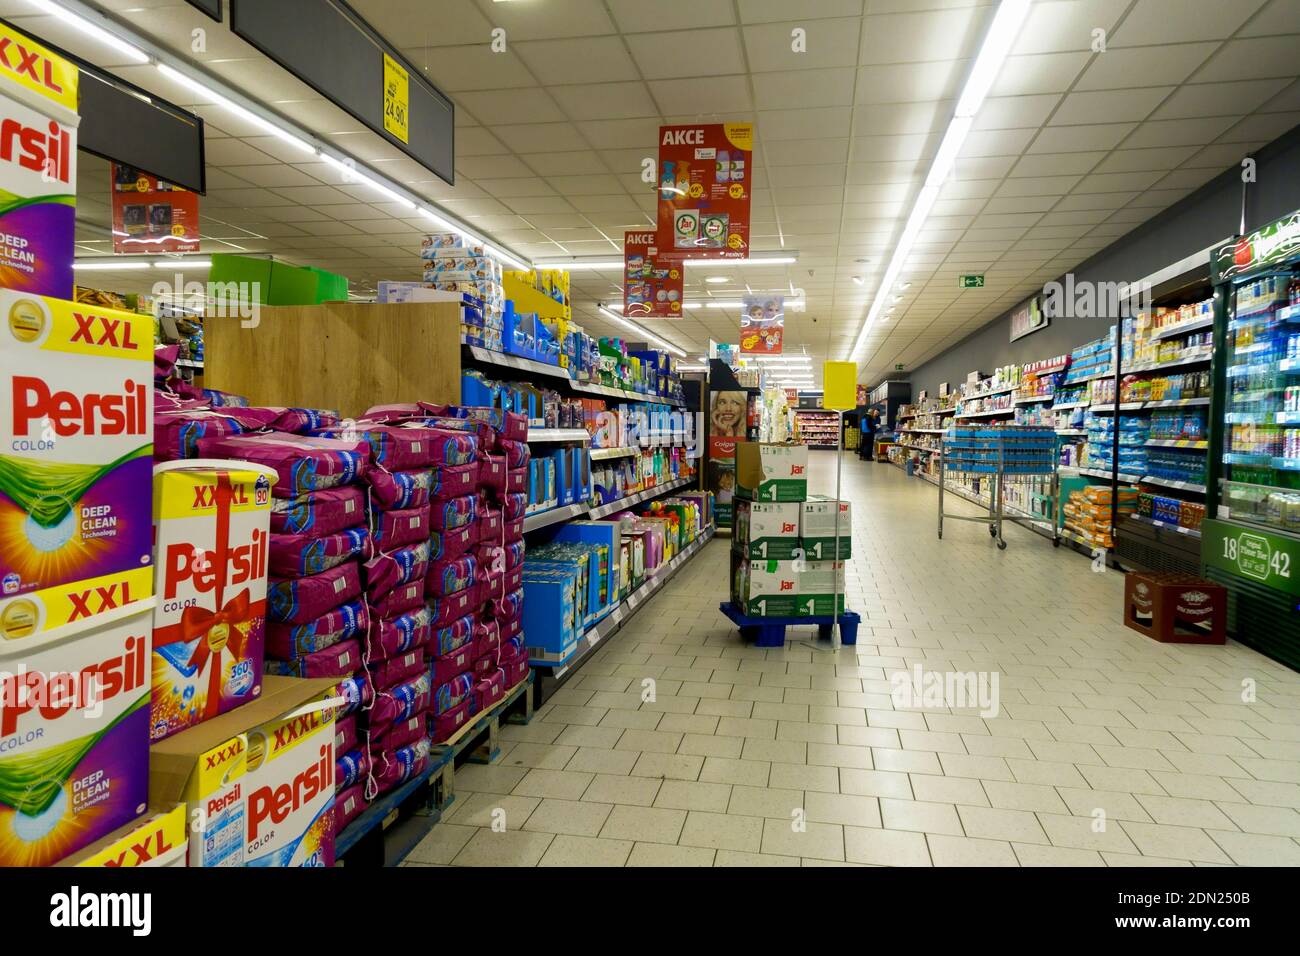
73, 414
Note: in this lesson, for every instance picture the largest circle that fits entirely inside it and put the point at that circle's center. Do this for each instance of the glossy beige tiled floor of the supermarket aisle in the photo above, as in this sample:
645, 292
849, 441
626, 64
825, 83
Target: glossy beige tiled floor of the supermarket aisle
1110, 750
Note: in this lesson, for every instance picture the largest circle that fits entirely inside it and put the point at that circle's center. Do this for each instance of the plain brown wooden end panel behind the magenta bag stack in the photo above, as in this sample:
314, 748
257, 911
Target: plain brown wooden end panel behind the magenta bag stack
339, 356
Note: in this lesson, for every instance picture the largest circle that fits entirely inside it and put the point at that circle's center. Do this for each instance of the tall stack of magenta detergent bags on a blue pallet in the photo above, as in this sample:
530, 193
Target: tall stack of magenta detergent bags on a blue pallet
395, 553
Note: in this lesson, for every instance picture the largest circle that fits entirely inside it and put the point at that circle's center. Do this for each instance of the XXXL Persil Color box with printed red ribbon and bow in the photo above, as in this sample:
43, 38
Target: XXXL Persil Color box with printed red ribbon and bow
213, 542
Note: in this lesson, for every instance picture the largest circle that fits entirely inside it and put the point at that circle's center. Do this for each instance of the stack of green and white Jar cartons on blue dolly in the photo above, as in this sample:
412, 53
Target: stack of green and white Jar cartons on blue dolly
785, 559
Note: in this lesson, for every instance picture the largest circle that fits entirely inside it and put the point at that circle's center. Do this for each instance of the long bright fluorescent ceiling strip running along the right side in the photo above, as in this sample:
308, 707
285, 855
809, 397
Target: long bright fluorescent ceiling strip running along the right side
998, 42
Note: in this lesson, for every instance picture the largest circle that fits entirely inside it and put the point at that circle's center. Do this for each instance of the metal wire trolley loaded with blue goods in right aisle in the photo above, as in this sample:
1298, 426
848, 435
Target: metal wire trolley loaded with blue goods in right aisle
998, 456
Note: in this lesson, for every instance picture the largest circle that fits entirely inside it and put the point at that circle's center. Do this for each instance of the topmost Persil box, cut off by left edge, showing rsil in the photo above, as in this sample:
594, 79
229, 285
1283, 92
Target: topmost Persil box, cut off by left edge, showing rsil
38, 167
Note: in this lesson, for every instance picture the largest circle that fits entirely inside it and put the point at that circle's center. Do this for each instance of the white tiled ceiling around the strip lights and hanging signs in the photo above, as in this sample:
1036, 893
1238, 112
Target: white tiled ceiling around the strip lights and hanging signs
1072, 149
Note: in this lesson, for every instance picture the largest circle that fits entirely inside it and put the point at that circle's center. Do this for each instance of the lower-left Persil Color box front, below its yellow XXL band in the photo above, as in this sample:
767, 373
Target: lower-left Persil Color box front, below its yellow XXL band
75, 739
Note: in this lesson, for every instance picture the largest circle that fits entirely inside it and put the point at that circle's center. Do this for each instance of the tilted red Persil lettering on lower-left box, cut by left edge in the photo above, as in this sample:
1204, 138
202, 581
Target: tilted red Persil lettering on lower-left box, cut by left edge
51, 695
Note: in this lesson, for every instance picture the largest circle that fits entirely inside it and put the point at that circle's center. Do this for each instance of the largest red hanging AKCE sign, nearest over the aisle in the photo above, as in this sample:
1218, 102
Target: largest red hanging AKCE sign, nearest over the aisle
705, 187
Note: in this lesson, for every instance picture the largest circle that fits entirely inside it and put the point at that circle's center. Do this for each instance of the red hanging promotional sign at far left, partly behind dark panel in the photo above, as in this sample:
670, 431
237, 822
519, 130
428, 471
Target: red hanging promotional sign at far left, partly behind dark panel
153, 215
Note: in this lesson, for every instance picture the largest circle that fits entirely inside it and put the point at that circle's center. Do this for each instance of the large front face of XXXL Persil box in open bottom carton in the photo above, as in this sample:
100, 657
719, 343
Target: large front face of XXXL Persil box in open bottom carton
292, 789
